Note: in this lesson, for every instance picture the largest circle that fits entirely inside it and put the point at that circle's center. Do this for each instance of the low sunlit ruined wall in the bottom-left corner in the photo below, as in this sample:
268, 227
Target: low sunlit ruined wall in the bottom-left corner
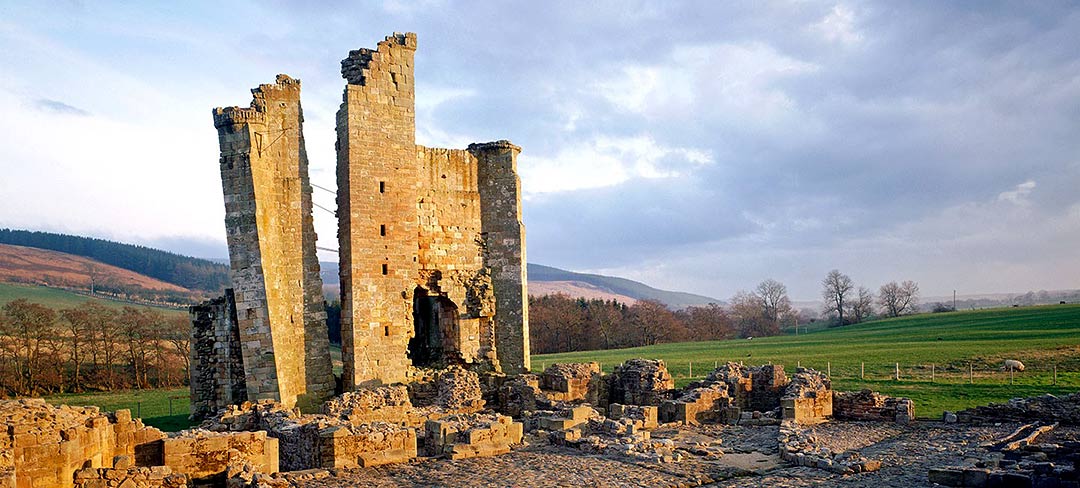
43, 445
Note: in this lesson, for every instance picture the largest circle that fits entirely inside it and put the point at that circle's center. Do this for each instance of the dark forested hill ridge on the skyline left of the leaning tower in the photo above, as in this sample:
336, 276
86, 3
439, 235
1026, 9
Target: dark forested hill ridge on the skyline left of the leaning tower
184, 272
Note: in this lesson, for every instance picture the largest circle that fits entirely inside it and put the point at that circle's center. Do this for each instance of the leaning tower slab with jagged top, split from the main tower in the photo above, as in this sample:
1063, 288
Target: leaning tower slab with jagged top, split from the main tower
272, 238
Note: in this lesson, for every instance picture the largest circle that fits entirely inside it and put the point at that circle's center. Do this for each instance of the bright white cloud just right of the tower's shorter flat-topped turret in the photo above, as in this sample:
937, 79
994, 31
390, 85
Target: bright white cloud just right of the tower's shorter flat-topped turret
607, 161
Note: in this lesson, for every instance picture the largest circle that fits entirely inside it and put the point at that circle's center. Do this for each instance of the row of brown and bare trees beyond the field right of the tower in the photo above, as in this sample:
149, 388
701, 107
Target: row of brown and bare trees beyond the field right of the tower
559, 323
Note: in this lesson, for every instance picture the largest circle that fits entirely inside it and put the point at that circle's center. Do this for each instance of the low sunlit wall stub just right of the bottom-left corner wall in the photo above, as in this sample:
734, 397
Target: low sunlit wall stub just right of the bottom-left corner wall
205, 455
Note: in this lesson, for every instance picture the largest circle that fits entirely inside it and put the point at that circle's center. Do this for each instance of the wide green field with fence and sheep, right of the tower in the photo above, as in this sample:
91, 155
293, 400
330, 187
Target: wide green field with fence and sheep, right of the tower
941, 347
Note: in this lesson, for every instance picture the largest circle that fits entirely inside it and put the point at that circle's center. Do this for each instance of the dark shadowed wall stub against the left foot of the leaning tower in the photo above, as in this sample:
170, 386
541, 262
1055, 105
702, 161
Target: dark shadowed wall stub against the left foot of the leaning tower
218, 365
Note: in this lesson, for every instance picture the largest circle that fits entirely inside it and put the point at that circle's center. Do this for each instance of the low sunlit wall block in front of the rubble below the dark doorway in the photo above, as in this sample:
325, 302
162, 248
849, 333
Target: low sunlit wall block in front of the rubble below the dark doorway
474, 436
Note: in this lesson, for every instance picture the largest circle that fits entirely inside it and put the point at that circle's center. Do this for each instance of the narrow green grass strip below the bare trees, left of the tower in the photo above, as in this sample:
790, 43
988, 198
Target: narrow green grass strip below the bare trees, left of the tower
166, 410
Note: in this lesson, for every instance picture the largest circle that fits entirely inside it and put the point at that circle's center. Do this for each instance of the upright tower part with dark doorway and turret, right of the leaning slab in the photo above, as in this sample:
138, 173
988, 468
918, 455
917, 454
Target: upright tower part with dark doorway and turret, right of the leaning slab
423, 232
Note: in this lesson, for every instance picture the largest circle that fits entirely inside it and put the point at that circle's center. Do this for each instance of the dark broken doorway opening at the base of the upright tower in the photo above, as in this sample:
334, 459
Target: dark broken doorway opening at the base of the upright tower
434, 318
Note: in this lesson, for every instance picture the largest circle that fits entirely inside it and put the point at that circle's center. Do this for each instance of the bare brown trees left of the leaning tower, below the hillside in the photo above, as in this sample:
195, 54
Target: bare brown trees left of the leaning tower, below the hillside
90, 347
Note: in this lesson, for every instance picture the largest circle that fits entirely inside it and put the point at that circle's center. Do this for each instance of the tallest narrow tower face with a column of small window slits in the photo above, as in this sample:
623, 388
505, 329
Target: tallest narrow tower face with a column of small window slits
377, 212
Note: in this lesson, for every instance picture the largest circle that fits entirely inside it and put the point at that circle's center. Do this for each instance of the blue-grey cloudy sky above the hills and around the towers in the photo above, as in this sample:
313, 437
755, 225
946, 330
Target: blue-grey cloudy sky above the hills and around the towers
695, 146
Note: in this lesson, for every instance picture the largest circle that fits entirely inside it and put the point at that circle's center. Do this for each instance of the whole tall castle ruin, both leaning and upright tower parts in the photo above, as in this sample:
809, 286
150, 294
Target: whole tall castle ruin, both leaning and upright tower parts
431, 242
